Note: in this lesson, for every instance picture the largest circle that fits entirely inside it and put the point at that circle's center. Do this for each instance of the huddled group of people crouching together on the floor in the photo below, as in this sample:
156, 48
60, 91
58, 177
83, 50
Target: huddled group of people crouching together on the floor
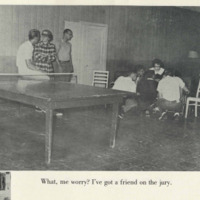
156, 91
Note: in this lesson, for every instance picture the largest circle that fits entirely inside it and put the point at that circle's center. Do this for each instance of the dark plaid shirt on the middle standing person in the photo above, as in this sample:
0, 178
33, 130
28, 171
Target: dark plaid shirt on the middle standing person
44, 55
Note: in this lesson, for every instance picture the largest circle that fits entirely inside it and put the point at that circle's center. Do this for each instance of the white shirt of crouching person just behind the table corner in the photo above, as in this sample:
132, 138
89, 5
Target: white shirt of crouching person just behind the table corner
125, 84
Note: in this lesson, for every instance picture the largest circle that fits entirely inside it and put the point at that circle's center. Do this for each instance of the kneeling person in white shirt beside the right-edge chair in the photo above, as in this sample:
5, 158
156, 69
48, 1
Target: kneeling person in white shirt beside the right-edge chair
169, 93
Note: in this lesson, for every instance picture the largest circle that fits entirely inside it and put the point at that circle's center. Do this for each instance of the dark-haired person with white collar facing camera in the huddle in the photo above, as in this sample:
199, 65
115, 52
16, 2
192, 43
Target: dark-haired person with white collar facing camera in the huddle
157, 68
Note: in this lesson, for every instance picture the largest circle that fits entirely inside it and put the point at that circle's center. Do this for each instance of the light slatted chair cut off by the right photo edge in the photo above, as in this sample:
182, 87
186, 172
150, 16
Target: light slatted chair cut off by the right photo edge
193, 101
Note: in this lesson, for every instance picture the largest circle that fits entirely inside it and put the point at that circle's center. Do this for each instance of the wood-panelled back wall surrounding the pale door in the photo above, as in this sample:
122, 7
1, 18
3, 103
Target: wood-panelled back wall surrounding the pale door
136, 35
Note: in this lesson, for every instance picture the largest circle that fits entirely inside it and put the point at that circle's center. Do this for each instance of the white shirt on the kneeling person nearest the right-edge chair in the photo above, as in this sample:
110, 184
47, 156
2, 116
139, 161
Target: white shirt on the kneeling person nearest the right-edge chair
169, 87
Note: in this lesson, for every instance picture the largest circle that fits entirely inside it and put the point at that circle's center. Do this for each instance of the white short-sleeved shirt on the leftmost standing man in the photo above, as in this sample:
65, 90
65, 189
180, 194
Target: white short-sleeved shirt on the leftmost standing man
24, 53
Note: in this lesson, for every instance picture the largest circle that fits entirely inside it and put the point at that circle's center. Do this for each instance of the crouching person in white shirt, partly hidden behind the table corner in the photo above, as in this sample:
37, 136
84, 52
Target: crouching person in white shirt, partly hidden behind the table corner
127, 83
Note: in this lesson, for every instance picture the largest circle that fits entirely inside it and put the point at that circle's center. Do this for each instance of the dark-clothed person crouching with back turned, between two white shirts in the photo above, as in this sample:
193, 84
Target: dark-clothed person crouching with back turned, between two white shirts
147, 90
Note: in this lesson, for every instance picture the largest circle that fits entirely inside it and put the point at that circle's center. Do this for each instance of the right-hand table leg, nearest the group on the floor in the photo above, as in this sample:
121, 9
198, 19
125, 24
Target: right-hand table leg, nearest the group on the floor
115, 111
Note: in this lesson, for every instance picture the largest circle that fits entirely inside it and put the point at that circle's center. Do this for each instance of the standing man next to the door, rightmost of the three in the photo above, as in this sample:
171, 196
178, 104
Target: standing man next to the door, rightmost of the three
64, 55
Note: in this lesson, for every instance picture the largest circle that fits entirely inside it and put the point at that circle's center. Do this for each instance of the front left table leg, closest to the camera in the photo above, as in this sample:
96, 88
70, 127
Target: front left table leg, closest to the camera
48, 135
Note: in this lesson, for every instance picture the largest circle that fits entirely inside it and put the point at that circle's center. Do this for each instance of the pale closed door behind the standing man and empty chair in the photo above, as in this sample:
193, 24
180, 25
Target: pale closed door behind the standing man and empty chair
89, 49
